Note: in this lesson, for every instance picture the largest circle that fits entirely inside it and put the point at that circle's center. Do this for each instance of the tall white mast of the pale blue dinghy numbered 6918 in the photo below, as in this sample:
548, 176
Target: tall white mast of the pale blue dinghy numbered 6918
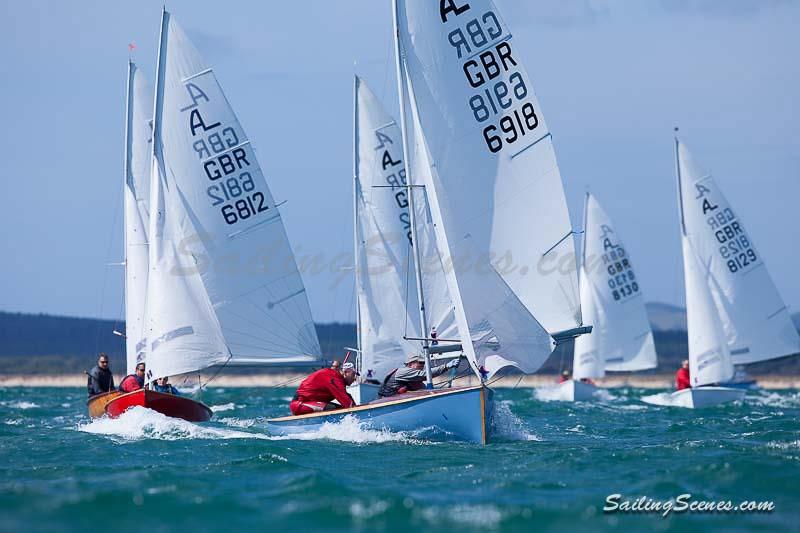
423, 319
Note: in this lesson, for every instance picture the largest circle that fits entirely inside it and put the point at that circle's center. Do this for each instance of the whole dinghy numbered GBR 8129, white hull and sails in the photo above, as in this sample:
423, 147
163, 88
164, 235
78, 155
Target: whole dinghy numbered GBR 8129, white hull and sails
734, 312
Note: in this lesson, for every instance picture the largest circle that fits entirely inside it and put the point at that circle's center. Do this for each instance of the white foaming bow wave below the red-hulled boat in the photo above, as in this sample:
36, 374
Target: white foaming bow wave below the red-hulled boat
140, 423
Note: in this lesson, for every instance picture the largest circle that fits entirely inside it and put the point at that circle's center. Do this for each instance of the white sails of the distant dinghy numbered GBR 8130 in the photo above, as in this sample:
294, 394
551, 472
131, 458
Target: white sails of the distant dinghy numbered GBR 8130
612, 301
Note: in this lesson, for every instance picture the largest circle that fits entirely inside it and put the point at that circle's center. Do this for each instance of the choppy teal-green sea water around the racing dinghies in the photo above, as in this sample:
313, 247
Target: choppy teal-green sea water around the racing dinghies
550, 468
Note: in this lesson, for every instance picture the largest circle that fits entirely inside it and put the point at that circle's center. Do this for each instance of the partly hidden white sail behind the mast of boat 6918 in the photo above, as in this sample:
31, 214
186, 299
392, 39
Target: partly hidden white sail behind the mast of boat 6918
387, 307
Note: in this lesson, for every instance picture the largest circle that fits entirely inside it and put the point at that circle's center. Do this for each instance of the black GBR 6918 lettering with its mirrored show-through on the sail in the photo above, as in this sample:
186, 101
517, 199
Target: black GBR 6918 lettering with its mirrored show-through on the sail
499, 93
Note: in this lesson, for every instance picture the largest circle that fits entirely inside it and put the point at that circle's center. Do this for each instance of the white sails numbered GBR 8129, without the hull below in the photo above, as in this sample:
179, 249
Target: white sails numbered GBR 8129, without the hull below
753, 322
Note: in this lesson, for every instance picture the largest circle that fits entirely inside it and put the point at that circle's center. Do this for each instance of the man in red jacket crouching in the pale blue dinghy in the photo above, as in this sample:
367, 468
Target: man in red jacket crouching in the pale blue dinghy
318, 390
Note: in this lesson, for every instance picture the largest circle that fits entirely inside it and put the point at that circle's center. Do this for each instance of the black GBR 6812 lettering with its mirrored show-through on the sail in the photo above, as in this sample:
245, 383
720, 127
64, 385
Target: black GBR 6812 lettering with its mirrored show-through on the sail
227, 161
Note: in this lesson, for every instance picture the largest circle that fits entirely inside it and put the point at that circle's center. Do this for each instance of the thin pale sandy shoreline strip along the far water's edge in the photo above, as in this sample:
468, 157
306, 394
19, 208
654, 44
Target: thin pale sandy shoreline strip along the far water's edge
659, 381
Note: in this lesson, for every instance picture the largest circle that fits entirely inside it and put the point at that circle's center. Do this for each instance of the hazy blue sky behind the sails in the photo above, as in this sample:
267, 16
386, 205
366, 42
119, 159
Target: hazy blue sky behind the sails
613, 77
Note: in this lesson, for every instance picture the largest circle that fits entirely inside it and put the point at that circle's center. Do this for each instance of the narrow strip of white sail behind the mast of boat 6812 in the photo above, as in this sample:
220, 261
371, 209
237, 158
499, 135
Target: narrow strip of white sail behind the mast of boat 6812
136, 192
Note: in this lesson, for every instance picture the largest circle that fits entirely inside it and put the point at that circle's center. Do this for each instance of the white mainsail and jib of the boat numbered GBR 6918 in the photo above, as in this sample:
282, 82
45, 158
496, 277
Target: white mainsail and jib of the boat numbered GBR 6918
494, 188
